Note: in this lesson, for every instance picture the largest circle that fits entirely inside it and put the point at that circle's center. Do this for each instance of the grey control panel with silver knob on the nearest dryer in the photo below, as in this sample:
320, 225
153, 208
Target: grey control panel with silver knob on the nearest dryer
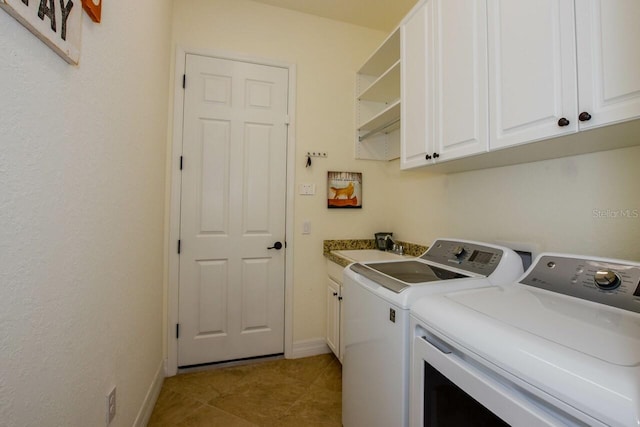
609, 282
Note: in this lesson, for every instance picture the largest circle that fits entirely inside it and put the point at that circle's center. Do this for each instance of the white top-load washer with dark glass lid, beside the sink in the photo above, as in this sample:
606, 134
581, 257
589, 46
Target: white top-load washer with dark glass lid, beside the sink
377, 297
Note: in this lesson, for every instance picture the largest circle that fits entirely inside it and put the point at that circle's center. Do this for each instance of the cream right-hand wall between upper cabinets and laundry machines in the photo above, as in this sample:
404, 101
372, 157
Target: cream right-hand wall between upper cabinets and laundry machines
587, 204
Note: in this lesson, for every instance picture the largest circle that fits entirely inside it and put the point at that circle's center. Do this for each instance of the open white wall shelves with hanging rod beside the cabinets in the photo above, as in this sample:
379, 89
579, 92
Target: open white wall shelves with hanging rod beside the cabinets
378, 103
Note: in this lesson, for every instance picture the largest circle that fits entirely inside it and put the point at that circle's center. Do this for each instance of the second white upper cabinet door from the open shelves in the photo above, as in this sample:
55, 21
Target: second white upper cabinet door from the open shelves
461, 78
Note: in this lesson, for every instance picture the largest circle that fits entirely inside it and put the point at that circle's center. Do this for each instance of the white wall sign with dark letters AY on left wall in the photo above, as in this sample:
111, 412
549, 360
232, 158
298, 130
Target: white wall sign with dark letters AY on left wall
58, 23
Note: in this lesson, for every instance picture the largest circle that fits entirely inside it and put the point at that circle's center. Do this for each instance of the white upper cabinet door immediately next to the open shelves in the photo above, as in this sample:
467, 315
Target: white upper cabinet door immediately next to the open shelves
416, 55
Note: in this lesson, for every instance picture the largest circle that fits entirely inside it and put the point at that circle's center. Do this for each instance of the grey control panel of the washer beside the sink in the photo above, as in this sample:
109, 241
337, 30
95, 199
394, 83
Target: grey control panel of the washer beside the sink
471, 257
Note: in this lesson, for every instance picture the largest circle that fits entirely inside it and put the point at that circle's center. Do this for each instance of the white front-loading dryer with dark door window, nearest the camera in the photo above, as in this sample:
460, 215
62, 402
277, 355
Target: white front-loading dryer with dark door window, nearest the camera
559, 347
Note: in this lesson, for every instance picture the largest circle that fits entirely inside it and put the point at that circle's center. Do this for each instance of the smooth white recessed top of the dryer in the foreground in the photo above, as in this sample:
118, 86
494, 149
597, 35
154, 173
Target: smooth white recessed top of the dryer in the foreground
606, 333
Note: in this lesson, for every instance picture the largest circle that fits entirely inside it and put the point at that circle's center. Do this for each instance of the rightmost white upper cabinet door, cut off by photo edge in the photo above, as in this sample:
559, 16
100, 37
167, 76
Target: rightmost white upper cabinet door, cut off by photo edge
608, 33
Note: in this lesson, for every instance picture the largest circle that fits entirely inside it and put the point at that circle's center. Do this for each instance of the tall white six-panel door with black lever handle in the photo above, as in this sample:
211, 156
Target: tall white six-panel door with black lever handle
231, 291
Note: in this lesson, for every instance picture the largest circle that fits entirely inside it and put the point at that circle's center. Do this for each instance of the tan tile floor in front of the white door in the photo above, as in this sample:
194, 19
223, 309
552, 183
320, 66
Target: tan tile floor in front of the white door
285, 393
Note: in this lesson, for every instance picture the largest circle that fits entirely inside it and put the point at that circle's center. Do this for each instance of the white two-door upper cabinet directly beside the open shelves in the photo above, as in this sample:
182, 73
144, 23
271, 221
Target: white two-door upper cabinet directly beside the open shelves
444, 82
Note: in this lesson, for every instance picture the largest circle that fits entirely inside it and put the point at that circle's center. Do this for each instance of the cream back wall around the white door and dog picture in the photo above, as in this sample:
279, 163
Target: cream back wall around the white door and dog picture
326, 54
